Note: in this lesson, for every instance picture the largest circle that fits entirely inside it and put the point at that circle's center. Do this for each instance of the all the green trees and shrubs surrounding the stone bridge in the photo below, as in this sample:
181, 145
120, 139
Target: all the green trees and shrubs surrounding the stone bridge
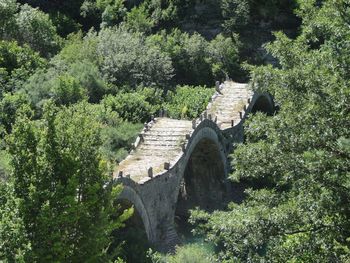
79, 78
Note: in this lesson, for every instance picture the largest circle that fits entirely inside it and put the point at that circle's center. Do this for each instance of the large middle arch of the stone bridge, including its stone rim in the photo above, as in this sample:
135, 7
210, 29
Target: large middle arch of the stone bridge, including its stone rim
203, 172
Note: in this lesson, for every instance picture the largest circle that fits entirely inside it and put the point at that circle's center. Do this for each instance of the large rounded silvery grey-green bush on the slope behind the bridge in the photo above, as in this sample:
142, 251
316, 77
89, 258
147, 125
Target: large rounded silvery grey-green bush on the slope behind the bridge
127, 59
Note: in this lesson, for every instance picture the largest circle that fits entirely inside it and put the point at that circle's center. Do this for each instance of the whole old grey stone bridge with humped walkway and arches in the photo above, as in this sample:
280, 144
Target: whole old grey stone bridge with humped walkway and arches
177, 165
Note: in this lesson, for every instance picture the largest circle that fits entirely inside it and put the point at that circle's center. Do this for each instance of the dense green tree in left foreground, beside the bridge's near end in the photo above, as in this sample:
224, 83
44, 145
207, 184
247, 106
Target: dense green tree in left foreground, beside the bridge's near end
64, 191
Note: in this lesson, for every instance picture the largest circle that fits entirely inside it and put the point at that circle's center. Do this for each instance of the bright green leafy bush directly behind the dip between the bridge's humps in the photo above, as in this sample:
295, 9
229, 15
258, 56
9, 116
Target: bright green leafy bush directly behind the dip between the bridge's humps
187, 102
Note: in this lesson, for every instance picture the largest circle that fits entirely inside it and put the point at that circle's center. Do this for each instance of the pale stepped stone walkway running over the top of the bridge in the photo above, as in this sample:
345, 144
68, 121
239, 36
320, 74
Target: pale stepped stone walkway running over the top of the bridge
161, 143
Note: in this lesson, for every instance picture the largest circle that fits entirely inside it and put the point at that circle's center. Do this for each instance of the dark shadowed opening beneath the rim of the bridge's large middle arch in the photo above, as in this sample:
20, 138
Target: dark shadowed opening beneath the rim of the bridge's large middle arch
203, 184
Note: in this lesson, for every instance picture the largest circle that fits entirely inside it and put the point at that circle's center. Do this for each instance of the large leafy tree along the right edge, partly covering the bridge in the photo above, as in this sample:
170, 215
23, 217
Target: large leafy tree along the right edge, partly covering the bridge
296, 162
